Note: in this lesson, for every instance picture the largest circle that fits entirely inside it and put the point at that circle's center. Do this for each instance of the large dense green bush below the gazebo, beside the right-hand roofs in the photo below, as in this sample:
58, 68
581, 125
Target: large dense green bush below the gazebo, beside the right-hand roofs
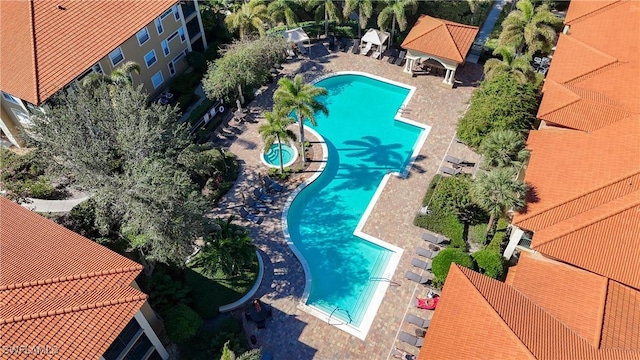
499, 104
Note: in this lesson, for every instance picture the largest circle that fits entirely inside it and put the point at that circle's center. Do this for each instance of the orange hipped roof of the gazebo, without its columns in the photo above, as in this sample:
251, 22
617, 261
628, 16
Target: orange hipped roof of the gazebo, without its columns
441, 38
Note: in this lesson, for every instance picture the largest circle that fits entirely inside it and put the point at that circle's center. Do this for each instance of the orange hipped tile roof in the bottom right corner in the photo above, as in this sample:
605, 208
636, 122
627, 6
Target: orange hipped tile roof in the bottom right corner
482, 318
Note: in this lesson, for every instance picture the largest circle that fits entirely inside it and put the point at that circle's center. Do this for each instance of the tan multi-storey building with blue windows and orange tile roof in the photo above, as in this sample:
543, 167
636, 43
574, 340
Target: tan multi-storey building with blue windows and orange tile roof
47, 46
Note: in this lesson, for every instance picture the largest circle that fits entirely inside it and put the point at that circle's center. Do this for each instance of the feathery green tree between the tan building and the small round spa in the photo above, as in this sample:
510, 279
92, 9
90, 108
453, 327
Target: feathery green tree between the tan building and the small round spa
243, 64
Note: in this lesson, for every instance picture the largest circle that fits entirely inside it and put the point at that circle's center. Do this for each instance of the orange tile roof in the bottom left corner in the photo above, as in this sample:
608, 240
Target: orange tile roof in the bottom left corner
59, 289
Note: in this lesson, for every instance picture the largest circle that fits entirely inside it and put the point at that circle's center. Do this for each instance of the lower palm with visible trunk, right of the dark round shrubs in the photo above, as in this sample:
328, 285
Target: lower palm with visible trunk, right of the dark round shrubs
497, 191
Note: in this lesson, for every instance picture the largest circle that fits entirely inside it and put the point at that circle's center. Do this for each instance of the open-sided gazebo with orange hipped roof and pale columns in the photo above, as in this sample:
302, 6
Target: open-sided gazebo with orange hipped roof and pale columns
440, 42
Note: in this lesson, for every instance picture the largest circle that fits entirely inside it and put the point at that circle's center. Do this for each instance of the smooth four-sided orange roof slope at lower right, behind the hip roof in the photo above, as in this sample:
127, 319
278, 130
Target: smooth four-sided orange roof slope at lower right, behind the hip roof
575, 297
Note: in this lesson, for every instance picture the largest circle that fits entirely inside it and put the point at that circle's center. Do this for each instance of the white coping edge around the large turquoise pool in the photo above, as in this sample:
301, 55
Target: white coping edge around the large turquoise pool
374, 305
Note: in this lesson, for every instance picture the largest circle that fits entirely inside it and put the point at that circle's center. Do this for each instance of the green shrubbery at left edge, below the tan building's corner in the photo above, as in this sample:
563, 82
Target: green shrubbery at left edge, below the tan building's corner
24, 176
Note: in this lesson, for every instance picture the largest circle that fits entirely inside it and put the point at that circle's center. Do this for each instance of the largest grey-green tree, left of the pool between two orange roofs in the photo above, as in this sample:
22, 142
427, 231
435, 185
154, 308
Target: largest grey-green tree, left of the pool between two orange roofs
125, 151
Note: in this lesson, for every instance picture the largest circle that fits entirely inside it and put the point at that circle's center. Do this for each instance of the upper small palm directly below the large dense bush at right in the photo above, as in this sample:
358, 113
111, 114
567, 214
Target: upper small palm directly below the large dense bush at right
504, 148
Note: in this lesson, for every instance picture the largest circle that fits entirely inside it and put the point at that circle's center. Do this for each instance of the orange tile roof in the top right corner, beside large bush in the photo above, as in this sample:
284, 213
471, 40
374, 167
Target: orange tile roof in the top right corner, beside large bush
589, 84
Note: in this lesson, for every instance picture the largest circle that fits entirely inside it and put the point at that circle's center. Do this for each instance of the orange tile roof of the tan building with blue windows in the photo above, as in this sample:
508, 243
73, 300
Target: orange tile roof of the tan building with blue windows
48, 47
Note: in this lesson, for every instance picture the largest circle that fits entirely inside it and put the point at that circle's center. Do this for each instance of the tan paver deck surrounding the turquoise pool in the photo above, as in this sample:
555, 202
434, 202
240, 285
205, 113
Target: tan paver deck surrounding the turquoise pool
293, 333
